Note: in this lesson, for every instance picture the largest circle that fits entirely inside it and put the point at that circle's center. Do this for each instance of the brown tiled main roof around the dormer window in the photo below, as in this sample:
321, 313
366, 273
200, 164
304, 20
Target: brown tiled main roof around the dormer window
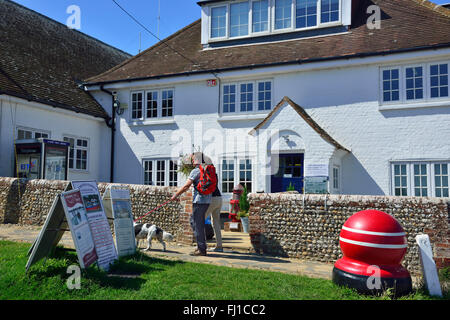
406, 25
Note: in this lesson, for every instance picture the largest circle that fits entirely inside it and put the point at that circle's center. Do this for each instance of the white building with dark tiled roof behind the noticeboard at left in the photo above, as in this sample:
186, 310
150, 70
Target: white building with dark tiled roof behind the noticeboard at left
42, 63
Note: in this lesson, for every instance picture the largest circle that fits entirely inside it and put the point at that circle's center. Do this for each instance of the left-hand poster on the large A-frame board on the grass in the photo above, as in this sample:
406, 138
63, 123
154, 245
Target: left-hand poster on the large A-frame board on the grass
79, 227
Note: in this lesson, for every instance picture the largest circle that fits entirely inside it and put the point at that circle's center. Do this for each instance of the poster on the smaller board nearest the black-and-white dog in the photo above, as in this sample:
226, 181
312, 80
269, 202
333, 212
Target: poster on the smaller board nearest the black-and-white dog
116, 202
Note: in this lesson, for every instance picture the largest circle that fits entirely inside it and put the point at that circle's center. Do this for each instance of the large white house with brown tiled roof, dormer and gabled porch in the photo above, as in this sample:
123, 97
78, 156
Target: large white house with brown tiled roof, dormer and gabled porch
298, 86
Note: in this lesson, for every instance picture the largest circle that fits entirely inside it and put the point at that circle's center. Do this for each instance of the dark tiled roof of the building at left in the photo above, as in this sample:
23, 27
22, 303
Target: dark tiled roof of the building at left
42, 60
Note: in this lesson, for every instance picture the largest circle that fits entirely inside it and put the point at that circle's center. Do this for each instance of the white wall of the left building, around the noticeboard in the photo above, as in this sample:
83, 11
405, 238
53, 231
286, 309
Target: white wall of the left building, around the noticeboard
20, 113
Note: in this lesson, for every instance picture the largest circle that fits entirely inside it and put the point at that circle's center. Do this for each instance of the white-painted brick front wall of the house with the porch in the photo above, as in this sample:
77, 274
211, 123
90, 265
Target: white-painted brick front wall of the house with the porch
343, 99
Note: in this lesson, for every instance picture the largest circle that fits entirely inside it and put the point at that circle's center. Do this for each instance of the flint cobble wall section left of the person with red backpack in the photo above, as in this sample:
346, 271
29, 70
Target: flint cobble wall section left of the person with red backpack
28, 202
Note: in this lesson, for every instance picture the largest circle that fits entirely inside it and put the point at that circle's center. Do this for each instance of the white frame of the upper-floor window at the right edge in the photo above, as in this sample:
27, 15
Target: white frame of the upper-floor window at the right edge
403, 102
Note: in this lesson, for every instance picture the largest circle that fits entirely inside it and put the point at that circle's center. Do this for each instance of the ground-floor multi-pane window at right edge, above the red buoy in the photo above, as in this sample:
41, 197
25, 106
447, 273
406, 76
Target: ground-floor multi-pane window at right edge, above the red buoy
421, 179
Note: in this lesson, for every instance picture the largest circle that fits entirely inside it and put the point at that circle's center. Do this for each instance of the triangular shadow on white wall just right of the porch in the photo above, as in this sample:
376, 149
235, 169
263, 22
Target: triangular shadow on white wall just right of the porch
357, 180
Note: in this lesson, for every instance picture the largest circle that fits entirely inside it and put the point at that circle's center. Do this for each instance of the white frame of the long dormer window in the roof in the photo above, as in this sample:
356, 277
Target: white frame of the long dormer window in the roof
270, 20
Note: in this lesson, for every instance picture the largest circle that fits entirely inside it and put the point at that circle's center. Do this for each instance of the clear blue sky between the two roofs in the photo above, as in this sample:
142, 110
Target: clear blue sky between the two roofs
103, 20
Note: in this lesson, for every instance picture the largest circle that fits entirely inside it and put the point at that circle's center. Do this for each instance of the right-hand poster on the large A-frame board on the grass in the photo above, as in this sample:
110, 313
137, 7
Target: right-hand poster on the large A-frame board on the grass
101, 232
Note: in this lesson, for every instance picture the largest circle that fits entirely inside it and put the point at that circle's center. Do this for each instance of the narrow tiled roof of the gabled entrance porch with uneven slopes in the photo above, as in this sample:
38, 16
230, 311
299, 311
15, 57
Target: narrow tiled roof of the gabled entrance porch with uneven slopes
306, 117
